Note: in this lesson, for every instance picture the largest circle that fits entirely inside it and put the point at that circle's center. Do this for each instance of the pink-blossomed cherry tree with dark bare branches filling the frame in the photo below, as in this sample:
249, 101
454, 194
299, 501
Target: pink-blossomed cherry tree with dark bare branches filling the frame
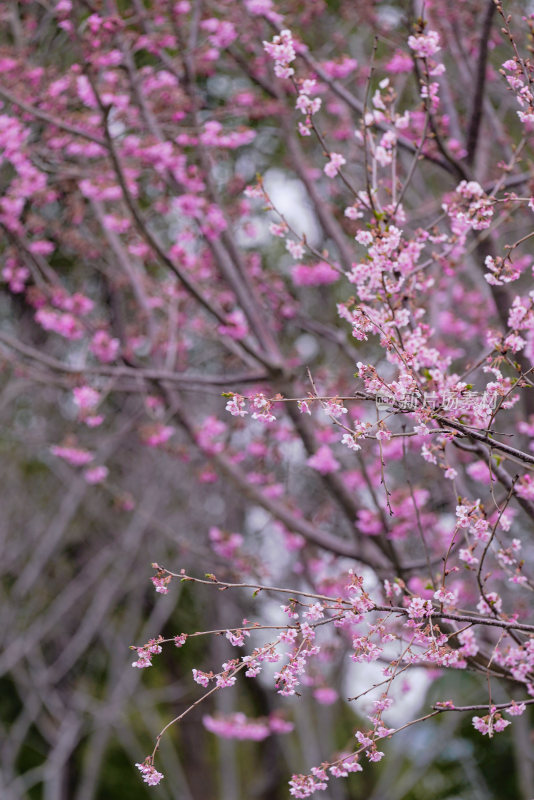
274, 260
